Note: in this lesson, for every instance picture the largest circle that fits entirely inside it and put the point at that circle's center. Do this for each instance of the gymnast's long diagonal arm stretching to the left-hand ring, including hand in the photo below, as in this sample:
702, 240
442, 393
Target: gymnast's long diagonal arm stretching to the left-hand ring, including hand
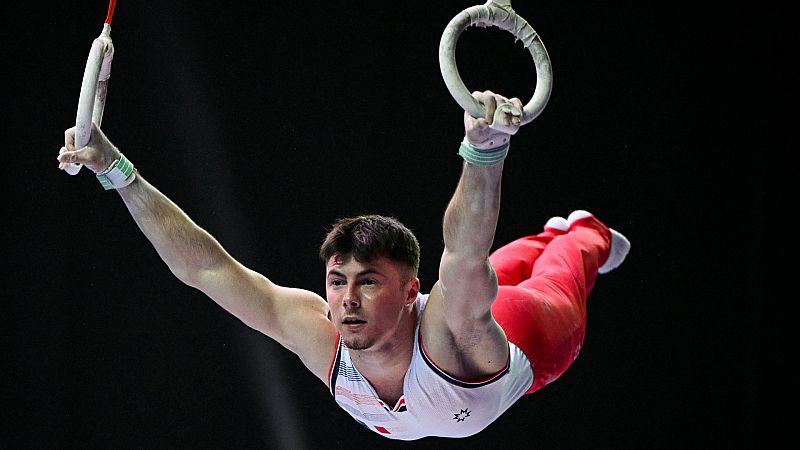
295, 318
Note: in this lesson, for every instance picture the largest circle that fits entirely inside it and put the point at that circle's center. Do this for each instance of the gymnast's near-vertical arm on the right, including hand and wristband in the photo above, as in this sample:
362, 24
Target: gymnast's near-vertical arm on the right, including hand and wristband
458, 328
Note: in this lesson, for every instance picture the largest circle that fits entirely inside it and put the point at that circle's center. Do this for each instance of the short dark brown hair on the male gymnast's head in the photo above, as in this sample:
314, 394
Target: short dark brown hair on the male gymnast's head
371, 236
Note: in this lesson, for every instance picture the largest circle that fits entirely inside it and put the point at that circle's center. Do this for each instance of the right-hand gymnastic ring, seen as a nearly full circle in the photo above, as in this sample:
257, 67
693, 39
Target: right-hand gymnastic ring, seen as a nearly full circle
500, 14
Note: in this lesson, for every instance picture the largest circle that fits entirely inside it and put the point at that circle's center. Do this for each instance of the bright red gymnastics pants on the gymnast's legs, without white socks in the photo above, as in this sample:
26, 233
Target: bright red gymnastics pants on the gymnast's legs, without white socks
545, 280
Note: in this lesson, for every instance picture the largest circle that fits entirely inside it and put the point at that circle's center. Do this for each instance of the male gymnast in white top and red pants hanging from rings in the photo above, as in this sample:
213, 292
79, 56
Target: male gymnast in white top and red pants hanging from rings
495, 327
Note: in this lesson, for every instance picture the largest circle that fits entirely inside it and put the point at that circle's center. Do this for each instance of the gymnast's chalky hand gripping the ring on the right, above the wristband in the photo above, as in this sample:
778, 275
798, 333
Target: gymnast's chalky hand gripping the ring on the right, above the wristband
503, 118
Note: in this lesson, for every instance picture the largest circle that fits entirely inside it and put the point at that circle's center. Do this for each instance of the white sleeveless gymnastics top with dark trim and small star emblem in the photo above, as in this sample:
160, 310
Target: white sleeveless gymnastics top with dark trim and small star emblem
433, 403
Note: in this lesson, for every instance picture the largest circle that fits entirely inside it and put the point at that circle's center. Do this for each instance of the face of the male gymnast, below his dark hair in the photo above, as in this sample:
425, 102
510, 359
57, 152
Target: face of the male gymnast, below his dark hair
370, 302
